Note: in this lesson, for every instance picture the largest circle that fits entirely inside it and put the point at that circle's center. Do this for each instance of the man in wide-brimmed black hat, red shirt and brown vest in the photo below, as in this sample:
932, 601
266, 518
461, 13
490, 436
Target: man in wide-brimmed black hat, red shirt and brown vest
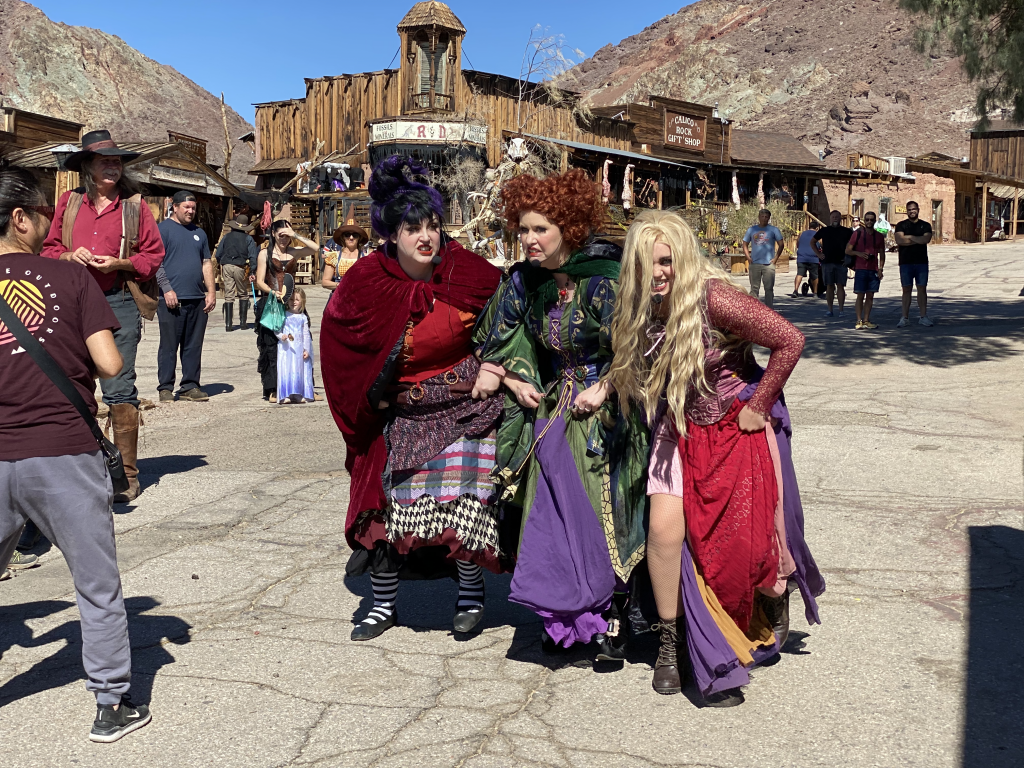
97, 240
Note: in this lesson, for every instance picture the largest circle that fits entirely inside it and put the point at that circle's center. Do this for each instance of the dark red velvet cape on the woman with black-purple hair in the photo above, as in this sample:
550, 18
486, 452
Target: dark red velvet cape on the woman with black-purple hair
363, 322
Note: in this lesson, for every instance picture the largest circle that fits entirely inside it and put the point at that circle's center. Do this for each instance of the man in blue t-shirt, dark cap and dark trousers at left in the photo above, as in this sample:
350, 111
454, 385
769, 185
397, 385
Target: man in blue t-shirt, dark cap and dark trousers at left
189, 295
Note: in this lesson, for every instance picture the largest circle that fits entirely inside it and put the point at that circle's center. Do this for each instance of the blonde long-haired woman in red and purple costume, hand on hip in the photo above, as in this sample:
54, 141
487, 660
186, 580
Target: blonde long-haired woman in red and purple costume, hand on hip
724, 502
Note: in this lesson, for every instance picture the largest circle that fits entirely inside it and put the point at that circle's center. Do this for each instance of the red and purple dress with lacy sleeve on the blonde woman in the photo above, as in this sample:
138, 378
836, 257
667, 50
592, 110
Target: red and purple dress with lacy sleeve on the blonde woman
745, 522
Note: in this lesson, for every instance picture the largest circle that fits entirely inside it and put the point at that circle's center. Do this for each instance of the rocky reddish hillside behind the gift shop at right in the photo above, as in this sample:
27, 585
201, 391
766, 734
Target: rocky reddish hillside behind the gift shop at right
840, 76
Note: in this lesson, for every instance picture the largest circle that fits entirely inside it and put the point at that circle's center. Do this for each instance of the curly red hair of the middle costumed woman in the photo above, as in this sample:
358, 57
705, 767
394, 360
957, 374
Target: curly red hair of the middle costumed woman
571, 201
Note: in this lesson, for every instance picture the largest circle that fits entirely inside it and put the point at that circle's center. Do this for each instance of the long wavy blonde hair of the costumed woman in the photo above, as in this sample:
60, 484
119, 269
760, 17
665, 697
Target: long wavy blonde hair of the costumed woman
680, 361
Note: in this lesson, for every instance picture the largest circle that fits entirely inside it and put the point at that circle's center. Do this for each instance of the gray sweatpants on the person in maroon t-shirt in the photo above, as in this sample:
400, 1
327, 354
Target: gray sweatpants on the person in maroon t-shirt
70, 498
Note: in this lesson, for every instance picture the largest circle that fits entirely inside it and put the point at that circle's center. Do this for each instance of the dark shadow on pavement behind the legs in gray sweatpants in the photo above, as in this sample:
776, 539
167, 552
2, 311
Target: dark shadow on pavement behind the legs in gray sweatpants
147, 632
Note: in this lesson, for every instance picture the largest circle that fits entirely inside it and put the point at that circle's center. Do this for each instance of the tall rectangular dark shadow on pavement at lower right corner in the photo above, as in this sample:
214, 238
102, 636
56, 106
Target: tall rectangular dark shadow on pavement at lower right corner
993, 734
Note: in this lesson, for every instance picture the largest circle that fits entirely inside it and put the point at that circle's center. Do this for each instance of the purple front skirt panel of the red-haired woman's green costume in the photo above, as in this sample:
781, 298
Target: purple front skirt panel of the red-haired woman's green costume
565, 572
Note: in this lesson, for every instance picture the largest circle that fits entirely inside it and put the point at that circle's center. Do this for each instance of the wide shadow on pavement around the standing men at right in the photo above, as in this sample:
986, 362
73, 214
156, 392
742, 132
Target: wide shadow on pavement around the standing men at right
966, 331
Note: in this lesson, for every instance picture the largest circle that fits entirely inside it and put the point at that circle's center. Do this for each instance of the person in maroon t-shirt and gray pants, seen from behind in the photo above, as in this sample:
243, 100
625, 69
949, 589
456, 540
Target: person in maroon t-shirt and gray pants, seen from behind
52, 470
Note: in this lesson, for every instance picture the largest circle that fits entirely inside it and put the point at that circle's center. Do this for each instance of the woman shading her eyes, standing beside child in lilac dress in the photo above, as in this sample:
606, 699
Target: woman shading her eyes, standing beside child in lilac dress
278, 260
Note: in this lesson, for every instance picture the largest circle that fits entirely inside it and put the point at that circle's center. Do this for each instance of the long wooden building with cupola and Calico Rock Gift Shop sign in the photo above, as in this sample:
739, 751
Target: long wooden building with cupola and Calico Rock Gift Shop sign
678, 153
